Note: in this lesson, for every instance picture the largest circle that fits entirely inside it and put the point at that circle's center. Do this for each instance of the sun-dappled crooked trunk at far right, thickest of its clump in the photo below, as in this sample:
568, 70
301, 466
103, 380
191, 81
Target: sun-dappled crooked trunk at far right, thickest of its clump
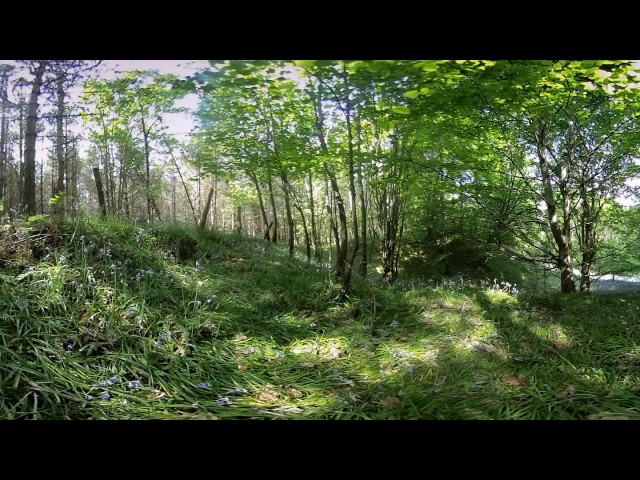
561, 235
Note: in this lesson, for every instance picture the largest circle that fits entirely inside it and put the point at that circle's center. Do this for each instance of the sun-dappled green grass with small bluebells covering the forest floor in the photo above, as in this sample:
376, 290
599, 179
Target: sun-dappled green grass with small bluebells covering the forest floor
172, 323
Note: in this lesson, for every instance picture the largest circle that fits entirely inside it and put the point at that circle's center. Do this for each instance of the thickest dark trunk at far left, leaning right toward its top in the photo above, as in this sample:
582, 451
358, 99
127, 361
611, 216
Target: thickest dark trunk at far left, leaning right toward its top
29, 192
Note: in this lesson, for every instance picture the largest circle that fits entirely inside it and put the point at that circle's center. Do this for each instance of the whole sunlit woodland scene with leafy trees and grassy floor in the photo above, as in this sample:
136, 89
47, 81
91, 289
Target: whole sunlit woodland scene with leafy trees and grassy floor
331, 239
